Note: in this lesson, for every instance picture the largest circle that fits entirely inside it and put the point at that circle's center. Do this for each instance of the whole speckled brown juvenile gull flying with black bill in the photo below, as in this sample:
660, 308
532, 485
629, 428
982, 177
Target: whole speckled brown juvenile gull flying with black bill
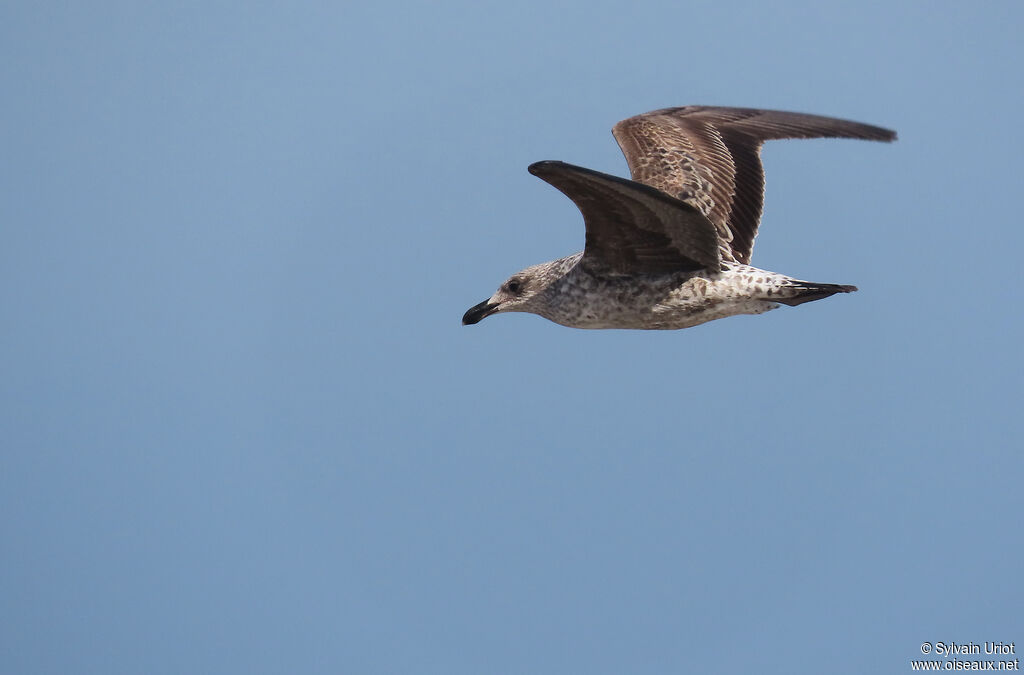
671, 248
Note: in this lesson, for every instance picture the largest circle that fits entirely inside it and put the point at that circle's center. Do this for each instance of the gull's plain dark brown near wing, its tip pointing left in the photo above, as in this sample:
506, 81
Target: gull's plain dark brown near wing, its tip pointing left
633, 229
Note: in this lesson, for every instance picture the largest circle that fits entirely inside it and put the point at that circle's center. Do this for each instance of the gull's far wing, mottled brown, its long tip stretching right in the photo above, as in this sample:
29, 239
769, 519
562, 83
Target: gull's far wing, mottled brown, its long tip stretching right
711, 158
